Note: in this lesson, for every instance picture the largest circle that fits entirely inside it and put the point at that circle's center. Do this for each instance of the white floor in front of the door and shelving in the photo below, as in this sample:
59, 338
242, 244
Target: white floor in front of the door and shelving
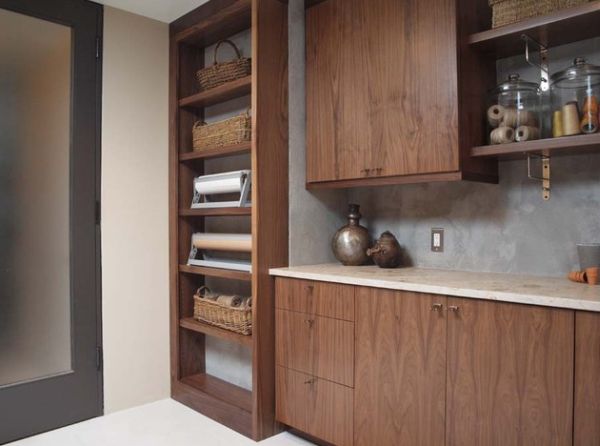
164, 423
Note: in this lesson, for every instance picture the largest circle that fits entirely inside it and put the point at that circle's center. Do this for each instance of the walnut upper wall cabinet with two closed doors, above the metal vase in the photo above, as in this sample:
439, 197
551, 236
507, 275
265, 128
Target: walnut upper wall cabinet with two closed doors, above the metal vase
382, 94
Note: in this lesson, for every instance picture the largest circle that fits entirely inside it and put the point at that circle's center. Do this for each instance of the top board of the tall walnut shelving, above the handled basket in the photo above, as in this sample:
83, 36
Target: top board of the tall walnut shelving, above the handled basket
222, 23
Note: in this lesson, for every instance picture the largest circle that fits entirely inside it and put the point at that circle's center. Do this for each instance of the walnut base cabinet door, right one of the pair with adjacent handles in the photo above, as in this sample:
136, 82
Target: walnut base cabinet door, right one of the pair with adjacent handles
510, 374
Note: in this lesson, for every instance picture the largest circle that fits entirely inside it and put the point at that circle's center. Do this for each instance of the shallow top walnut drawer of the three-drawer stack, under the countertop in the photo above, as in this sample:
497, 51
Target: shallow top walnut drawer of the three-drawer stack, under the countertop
320, 298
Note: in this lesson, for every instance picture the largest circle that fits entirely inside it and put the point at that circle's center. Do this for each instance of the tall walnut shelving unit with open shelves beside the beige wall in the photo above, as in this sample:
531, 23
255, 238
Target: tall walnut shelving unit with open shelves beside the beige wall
250, 412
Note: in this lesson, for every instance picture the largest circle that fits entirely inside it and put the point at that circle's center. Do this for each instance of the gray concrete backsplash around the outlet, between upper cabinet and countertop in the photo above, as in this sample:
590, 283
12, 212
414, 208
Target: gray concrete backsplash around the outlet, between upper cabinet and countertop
494, 228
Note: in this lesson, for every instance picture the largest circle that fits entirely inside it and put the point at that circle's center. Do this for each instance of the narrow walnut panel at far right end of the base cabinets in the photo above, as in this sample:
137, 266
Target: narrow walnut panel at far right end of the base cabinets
587, 379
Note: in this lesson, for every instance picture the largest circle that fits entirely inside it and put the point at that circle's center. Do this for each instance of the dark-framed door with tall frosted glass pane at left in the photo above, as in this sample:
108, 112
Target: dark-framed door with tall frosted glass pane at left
49, 262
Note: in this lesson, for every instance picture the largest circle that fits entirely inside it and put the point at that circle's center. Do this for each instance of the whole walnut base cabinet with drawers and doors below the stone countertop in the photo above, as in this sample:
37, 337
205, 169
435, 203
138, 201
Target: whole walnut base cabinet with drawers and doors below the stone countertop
434, 370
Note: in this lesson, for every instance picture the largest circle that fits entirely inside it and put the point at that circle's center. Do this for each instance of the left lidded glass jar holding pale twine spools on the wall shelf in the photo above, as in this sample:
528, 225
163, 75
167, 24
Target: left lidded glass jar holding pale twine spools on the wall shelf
514, 111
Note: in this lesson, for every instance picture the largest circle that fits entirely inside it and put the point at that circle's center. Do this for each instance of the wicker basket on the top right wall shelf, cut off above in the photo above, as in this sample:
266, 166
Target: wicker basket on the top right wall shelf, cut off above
506, 12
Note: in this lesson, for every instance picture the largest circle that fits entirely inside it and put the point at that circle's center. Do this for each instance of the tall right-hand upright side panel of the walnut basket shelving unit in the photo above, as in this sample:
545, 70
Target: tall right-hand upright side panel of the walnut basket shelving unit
269, 196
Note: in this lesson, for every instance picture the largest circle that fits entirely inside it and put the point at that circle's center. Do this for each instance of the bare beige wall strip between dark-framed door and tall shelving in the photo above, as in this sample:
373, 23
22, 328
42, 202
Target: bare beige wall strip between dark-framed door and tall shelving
135, 210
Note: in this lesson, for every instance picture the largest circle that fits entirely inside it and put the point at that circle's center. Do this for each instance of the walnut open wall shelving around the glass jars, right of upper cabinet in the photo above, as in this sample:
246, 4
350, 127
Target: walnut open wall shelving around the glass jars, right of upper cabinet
486, 46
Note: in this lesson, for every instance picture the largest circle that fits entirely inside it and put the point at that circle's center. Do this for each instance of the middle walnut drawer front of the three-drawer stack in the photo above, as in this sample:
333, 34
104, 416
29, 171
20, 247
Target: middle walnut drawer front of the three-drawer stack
316, 345
